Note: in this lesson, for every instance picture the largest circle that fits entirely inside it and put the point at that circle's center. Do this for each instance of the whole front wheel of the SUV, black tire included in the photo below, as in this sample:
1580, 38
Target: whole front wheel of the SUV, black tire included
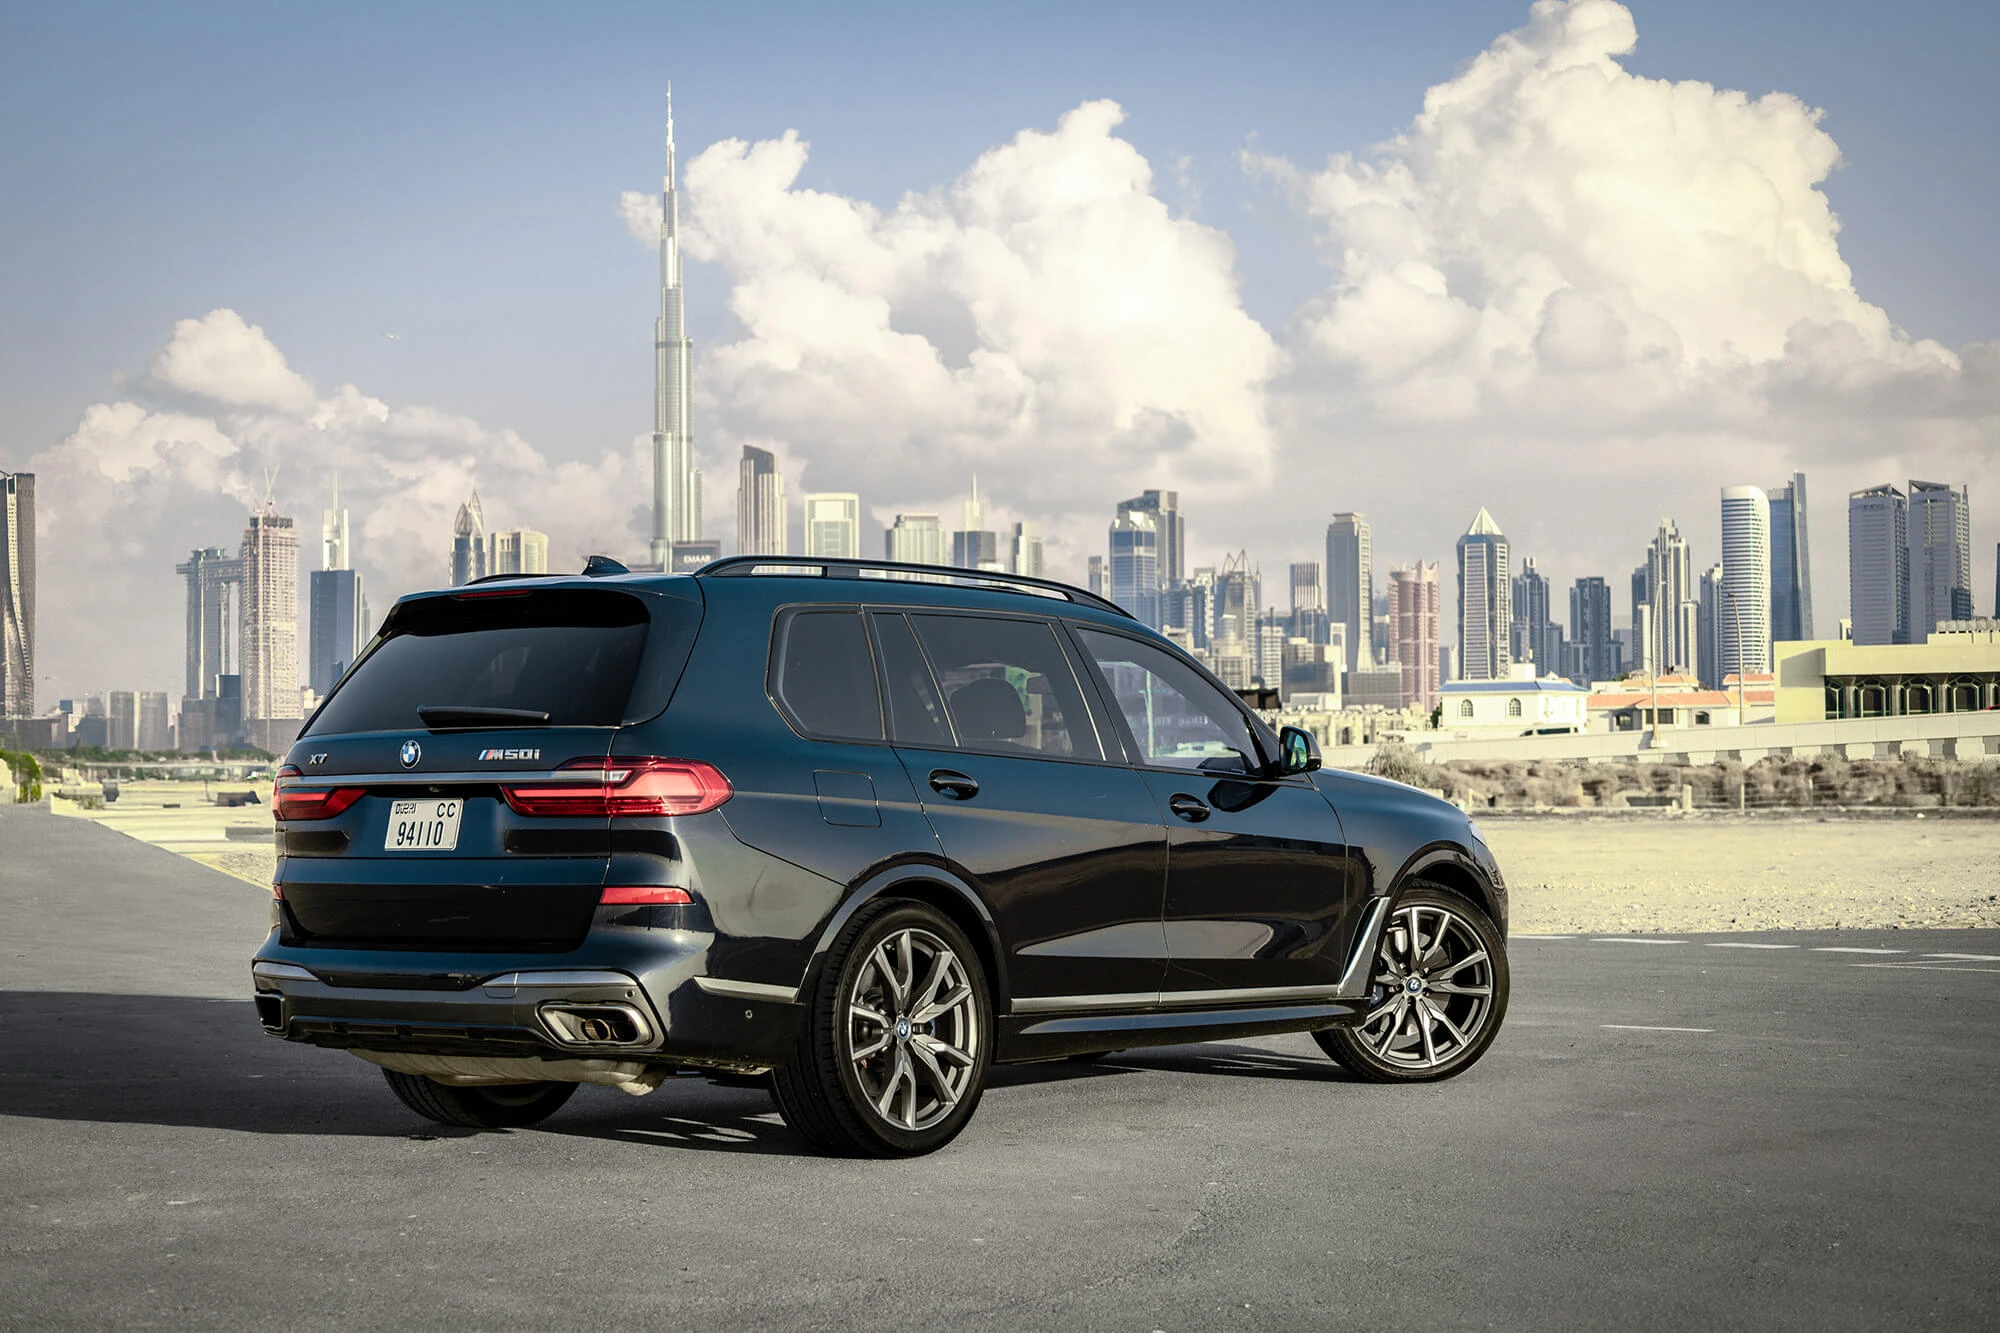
1455, 956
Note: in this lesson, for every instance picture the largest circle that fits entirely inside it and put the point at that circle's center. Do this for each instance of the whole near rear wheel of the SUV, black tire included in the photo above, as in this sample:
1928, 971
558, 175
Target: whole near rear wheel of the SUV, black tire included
849, 1068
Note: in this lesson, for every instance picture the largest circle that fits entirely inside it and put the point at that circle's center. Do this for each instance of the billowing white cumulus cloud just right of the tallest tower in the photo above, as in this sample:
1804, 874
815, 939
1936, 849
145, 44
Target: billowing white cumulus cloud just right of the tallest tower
1043, 321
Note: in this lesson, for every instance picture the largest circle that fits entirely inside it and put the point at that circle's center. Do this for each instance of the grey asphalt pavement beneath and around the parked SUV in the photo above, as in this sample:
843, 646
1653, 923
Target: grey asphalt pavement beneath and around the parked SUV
1815, 1152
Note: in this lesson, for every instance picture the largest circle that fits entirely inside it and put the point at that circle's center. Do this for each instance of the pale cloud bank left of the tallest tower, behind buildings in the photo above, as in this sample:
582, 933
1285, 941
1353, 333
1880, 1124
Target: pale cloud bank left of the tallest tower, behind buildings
137, 485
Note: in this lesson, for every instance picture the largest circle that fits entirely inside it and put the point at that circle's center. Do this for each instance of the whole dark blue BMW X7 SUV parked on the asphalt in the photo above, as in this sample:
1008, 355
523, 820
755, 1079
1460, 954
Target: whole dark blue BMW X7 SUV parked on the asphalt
857, 830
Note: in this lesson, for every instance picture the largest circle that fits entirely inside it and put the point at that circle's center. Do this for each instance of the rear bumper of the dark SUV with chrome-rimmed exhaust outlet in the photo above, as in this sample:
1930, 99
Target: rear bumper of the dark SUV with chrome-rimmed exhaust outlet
649, 1002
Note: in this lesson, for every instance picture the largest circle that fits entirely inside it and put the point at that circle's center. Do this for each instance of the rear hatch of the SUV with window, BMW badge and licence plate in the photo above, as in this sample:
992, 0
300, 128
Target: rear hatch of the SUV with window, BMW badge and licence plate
393, 812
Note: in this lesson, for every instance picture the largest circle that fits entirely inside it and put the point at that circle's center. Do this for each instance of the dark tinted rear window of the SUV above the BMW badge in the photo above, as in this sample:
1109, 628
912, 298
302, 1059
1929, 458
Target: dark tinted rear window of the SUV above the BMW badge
571, 653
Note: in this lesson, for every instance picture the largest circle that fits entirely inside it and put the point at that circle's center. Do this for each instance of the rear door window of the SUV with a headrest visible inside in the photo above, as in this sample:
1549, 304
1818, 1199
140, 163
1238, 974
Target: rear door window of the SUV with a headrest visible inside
1007, 686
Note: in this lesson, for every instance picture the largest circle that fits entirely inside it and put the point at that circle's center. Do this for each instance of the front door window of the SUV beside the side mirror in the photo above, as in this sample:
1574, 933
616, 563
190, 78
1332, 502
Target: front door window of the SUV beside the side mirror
1179, 720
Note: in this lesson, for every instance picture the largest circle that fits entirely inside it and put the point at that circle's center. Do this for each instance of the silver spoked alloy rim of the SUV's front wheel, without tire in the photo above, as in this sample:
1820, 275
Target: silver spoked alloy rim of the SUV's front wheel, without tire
1433, 990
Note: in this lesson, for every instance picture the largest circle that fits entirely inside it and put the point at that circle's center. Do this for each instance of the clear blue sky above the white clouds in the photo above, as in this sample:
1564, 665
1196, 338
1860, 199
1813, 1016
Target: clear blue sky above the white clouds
449, 173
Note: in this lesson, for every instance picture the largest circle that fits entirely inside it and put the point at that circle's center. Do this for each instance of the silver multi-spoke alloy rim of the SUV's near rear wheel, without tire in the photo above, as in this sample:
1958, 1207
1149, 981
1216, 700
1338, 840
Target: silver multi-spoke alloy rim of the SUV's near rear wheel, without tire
913, 1030
